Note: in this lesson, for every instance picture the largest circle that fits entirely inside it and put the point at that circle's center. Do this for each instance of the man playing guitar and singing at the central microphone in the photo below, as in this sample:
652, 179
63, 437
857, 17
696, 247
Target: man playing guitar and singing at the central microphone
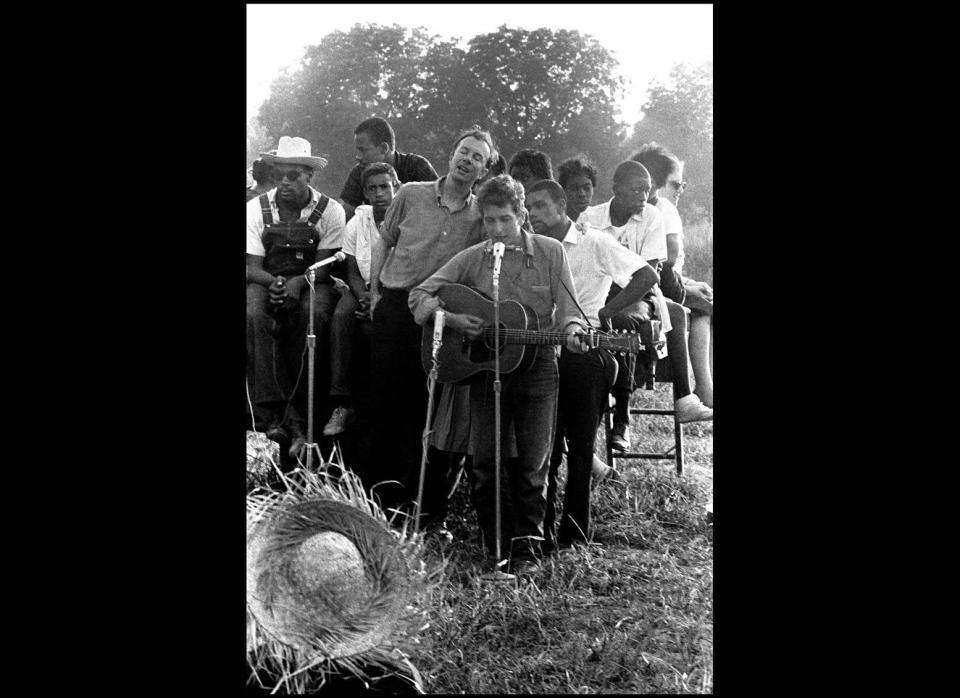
534, 271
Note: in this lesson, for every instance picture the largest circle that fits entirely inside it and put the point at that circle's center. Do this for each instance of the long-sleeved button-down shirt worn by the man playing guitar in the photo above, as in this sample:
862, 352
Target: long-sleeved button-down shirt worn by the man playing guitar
530, 274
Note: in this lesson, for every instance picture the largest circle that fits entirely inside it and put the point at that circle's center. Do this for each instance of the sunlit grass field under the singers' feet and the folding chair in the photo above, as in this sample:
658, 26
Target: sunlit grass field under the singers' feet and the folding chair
630, 613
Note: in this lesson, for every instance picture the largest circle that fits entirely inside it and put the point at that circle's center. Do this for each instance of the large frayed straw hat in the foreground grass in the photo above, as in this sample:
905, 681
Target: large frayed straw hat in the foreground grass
329, 585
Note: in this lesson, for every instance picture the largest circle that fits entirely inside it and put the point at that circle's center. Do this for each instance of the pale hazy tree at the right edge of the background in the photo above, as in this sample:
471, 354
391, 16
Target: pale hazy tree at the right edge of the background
680, 116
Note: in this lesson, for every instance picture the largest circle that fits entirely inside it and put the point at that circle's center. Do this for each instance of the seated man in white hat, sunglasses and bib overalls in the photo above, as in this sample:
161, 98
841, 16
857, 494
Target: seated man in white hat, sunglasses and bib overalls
288, 229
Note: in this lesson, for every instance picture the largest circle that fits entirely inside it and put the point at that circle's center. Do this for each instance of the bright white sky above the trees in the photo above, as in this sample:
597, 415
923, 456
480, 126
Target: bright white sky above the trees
646, 39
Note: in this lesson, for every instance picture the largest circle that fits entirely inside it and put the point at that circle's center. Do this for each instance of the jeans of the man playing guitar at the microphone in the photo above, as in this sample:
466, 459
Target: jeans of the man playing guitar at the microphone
528, 403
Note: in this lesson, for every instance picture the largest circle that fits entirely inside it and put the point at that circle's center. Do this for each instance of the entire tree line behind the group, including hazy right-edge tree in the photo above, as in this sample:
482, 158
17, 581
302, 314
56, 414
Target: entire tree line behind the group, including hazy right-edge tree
551, 90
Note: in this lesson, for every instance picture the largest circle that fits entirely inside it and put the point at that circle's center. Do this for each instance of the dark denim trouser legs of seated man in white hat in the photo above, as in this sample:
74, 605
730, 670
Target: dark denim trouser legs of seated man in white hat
277, 367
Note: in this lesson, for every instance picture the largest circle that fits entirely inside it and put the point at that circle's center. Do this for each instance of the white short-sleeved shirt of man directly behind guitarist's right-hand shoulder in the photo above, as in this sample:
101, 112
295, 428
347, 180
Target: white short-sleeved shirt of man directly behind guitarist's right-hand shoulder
596, 262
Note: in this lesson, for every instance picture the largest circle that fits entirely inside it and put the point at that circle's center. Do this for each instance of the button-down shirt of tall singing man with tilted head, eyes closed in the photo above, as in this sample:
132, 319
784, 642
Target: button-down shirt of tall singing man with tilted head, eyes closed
424, 233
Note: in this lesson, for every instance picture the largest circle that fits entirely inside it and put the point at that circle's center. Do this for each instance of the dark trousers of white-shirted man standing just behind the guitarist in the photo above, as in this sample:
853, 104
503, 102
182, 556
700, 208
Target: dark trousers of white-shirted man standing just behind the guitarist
585, 381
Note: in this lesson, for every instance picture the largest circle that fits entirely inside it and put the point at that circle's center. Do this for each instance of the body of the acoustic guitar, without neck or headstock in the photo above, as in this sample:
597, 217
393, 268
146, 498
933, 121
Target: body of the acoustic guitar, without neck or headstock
460, 358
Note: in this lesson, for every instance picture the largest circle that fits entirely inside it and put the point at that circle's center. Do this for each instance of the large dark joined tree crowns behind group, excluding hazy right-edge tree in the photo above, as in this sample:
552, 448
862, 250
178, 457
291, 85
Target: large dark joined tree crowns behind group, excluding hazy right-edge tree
551, 90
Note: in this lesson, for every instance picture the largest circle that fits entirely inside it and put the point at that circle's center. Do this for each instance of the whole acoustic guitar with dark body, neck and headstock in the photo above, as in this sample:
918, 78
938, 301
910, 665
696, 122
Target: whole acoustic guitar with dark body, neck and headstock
460, 357
